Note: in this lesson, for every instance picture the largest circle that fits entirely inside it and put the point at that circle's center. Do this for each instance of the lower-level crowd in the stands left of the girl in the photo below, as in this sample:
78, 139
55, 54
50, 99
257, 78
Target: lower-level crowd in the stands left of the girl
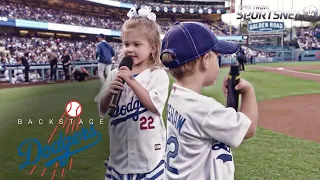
39, 49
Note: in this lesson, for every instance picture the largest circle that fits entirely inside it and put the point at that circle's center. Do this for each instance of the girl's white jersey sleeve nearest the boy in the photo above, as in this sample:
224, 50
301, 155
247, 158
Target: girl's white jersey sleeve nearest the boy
159, 88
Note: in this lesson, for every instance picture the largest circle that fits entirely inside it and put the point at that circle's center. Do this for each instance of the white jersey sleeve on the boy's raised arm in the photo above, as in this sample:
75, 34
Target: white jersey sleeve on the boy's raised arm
225, 125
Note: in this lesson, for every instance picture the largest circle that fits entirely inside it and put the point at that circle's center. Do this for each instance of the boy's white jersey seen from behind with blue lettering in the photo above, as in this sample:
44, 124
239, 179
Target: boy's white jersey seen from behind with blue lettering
200, 132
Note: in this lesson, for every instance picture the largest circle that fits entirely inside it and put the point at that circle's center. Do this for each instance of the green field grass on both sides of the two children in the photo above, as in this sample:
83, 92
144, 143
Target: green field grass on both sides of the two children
268, 155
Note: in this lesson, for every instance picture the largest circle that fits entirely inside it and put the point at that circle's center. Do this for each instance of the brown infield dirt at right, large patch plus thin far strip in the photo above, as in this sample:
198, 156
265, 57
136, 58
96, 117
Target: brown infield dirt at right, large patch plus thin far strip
297, 116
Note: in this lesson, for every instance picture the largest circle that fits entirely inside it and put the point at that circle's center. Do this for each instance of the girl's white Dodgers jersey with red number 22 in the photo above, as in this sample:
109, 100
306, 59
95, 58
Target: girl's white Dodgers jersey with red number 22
137, 136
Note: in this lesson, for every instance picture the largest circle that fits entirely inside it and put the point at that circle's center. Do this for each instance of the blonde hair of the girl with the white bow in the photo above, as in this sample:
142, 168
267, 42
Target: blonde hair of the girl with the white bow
151, 31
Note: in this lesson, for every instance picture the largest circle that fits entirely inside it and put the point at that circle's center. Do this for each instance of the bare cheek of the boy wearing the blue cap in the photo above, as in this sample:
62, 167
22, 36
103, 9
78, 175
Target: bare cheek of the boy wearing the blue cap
212, 69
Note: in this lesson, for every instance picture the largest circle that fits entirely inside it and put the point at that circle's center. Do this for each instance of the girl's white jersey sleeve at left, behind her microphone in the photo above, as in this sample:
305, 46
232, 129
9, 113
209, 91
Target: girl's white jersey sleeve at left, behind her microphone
103, 90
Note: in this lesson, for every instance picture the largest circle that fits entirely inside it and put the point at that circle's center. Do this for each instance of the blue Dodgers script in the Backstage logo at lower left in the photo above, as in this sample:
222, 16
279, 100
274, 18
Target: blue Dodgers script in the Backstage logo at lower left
61, 148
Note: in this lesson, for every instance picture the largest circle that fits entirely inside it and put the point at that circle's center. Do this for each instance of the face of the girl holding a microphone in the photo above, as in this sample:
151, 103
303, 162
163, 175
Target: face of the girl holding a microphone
137, 46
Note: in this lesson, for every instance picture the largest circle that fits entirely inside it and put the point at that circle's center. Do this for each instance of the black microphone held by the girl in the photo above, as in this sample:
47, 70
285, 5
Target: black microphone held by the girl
126, 61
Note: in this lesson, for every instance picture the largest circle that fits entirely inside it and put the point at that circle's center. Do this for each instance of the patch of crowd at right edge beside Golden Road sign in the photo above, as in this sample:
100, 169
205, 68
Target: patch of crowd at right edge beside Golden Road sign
309, 38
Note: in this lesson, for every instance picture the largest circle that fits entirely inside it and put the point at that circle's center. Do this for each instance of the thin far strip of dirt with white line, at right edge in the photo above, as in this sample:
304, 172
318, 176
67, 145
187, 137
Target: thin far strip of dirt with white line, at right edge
294, 71
